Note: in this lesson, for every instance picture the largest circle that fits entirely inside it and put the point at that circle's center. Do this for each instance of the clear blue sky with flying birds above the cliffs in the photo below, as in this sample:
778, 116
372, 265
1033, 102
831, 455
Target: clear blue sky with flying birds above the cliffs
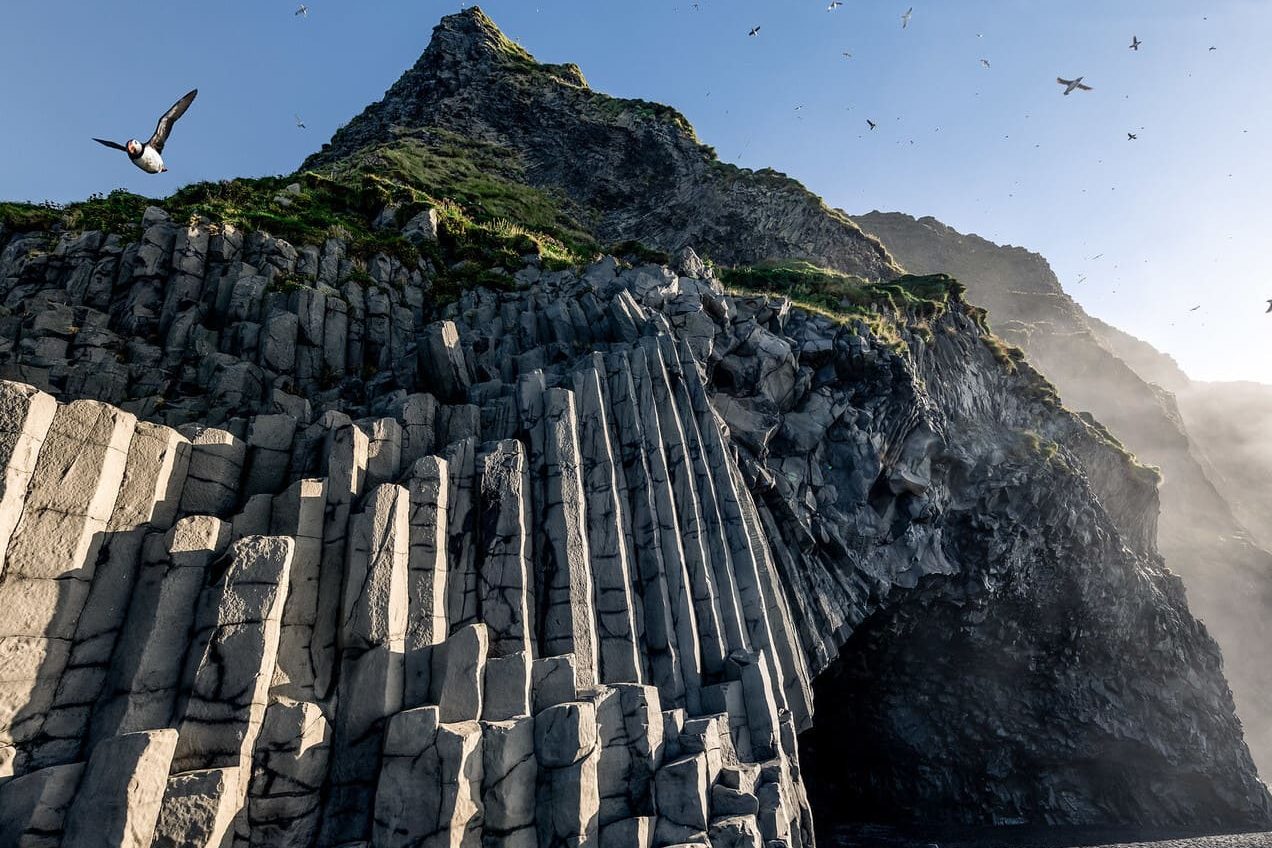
1181, 215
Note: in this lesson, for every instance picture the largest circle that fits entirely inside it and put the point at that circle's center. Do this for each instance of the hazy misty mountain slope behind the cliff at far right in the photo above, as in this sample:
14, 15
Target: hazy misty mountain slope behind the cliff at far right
1098, 369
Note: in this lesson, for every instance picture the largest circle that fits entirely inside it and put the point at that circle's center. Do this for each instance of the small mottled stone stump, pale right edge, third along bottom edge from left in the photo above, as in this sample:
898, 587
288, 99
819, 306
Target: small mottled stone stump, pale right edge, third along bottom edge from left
198, 809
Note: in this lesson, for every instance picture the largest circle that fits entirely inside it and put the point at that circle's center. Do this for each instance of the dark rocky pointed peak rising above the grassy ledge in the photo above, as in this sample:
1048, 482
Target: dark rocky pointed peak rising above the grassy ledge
637, 170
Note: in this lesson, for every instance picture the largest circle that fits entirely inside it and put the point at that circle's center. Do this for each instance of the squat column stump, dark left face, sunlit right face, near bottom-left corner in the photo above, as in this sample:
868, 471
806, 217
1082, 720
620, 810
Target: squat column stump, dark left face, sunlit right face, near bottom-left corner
120, 795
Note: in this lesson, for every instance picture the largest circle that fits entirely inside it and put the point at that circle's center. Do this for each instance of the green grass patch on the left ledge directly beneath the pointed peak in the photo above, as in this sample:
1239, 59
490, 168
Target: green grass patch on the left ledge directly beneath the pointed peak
490, 222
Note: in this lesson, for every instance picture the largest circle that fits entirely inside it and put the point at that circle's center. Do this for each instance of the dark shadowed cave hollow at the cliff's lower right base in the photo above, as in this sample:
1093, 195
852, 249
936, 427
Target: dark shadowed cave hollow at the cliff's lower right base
942, 714
